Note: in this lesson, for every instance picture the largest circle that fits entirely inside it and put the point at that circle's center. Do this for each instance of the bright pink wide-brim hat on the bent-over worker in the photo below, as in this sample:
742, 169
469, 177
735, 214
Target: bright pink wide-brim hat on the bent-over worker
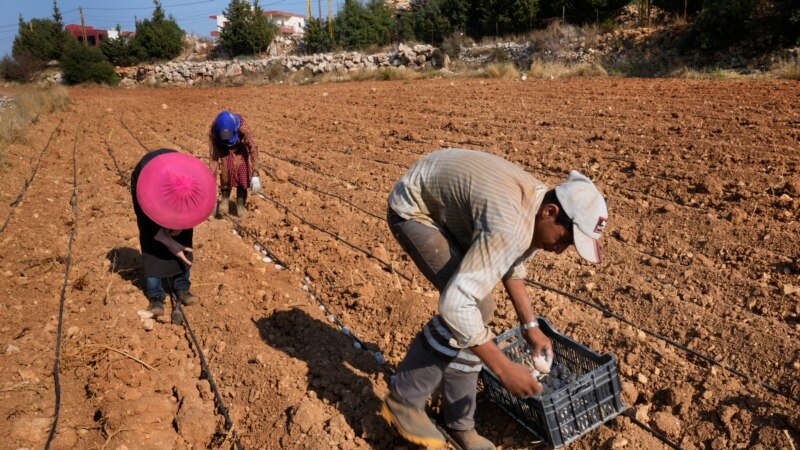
176, 191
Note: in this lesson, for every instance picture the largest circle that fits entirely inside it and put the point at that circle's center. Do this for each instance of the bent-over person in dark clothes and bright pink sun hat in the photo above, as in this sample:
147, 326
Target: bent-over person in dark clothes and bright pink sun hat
172, 193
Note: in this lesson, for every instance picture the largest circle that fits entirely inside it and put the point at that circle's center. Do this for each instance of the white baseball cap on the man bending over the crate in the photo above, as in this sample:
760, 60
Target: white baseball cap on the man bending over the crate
586, 208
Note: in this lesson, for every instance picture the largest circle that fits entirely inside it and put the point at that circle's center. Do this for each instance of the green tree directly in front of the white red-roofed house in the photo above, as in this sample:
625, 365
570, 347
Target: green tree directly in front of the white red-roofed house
247, 30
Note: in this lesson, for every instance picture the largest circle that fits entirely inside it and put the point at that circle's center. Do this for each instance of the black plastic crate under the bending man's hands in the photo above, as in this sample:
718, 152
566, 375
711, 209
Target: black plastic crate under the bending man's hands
572, 410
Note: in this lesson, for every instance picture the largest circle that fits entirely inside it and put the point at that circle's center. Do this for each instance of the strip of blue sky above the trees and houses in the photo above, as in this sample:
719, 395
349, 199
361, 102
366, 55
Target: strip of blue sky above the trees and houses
192, 15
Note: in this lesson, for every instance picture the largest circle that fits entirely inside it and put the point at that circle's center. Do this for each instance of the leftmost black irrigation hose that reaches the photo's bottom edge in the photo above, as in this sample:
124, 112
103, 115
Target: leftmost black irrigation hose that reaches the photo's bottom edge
73, 201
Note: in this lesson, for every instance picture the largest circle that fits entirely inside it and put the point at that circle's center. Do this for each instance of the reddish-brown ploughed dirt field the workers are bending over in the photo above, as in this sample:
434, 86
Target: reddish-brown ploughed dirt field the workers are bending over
702, 252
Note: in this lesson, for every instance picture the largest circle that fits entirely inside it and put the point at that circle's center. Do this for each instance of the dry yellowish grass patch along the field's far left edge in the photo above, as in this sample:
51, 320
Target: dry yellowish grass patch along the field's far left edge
27, 106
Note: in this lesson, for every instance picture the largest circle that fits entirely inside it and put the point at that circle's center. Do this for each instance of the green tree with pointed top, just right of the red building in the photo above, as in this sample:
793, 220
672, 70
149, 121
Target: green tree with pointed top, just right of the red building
160, 37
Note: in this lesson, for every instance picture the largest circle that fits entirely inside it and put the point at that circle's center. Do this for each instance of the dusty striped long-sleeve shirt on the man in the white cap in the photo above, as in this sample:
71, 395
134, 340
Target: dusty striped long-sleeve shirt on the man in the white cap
488, 205
